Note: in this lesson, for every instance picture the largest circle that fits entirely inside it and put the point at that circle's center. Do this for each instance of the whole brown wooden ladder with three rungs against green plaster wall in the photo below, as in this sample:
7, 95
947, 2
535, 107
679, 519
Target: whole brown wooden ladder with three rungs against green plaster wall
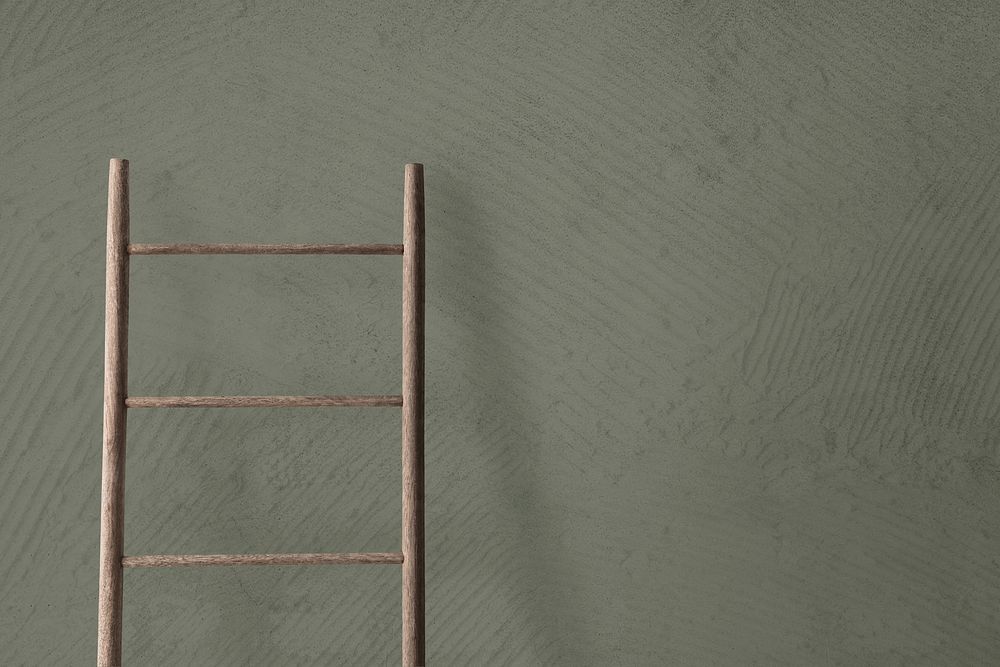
117, 402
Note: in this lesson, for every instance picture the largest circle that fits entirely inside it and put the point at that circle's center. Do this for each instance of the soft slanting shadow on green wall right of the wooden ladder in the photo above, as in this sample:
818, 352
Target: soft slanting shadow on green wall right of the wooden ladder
518, 560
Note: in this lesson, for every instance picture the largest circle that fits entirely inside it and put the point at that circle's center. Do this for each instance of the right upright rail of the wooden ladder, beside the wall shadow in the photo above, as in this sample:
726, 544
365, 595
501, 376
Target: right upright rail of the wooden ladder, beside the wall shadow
413, 416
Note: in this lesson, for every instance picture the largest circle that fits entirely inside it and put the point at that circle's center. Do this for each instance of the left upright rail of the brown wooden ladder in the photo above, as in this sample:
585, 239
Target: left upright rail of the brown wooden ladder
109, 632
